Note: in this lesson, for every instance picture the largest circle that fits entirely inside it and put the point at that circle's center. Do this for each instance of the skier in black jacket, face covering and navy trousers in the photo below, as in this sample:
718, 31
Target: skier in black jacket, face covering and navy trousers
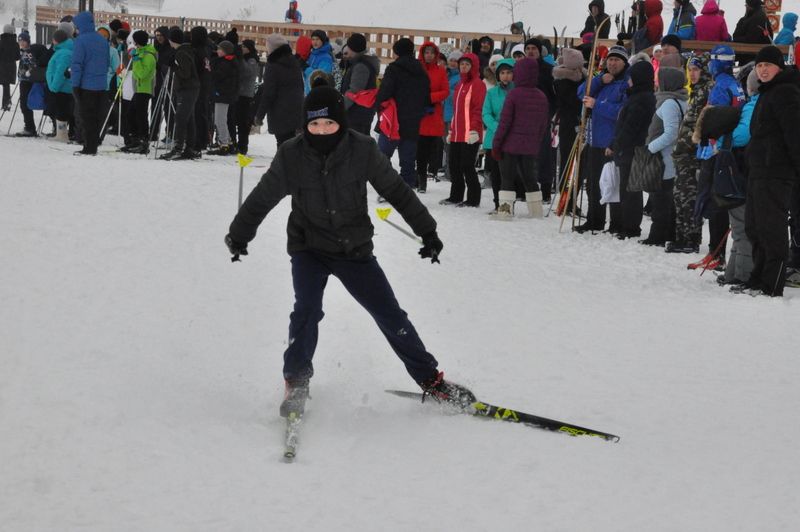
325, 170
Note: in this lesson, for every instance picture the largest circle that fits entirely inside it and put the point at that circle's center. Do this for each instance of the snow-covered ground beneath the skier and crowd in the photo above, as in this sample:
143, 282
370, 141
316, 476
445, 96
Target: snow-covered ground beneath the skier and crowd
141, 371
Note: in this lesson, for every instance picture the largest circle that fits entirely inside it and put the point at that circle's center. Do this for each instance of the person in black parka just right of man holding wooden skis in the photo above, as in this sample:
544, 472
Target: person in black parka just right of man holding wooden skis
631, 131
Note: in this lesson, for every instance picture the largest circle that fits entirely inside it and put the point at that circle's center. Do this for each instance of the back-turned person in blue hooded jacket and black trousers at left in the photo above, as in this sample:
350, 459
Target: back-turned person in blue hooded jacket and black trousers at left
89, 75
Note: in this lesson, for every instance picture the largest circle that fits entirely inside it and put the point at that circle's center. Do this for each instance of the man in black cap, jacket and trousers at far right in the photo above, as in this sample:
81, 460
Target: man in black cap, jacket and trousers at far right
774, 169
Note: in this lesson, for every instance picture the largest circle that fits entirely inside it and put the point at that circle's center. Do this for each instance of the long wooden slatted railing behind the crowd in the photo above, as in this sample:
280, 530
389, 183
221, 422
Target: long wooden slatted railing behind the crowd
379, 40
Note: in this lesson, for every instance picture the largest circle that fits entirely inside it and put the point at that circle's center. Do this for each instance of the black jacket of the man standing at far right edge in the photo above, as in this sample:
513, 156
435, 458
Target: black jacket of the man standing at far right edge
774, 149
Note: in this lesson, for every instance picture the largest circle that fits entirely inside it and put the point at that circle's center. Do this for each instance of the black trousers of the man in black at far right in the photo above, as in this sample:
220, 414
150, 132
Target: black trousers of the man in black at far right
766, 221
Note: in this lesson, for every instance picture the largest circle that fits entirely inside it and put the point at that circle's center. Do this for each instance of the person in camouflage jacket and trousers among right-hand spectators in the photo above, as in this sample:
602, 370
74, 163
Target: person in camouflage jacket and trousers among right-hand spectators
687, 228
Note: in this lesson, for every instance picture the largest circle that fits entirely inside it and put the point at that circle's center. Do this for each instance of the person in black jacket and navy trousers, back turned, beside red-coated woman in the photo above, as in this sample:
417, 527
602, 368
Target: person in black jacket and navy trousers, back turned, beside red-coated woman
407, 83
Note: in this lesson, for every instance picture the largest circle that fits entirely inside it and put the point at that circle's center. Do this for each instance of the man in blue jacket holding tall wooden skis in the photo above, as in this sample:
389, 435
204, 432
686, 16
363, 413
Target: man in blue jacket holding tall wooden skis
607, 95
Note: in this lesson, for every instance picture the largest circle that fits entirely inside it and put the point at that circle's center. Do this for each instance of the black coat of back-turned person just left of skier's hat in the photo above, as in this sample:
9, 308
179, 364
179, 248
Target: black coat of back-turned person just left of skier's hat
282, 92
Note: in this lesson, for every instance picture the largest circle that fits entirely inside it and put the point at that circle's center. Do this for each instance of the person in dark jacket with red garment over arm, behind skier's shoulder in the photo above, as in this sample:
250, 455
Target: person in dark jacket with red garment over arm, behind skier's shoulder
361, 74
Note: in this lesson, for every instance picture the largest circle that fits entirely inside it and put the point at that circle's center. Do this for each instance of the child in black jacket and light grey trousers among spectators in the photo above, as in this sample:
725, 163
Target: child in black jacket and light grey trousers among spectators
225, 77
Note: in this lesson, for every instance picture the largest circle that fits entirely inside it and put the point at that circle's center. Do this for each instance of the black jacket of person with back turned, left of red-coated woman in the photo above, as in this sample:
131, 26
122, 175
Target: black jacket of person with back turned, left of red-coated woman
406, 81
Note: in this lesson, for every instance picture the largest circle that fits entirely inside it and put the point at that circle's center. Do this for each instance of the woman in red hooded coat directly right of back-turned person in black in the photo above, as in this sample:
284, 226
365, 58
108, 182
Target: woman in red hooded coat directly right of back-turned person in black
431, 128
